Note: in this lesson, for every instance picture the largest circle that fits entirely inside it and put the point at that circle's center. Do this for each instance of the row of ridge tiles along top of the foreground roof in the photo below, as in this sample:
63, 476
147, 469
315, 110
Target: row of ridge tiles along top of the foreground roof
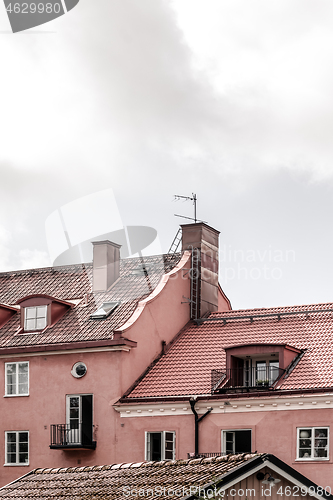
132, 465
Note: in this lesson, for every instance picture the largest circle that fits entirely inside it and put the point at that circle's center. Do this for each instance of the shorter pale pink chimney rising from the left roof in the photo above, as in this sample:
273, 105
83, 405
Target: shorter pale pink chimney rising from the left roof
106, 256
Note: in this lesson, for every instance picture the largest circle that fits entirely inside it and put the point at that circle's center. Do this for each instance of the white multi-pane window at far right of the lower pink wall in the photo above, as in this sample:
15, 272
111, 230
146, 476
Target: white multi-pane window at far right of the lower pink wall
312, 443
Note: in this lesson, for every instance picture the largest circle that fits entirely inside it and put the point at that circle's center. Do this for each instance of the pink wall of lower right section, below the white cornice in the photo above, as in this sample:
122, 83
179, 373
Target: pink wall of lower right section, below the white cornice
273, 432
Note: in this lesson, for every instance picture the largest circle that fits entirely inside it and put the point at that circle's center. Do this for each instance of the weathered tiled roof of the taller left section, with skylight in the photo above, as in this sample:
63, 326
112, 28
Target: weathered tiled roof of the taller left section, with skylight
75, 282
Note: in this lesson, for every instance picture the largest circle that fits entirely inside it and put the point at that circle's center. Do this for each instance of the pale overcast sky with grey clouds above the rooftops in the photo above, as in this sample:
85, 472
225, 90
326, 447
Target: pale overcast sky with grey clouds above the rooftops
228, 99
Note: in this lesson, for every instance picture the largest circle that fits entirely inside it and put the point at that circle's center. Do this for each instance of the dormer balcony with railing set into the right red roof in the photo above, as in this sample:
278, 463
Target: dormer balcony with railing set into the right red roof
245, 379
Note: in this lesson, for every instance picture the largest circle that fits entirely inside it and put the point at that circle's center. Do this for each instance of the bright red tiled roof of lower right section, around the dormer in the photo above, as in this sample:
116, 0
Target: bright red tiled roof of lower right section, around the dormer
186, 367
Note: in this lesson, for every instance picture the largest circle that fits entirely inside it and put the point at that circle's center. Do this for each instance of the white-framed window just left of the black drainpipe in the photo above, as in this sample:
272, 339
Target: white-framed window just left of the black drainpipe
160, 446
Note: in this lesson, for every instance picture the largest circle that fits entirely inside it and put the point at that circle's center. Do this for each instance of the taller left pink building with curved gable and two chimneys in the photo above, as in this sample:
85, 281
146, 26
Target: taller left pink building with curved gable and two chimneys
73, 339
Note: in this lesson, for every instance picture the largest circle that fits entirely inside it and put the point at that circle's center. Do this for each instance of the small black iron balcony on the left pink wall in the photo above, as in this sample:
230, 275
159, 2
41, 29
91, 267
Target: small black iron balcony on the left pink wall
65, 437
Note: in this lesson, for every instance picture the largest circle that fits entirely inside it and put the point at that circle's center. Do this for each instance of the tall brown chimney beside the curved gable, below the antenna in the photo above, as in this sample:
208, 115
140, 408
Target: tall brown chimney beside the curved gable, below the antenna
203, 240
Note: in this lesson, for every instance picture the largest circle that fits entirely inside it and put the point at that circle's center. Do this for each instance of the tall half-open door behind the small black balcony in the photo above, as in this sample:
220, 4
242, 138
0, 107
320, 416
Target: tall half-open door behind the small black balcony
79, 419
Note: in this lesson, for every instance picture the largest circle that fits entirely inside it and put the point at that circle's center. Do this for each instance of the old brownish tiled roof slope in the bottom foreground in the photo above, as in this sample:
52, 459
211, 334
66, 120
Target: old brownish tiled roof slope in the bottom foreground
109, 482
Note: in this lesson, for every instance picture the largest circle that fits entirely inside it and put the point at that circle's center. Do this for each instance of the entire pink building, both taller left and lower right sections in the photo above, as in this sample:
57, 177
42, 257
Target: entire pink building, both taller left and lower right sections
121, 361
